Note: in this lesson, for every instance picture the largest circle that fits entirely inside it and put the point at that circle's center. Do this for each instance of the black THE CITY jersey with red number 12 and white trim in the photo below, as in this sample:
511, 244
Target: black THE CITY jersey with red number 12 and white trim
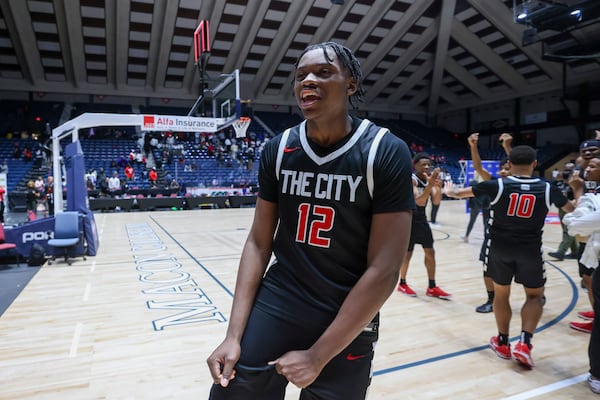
326, 201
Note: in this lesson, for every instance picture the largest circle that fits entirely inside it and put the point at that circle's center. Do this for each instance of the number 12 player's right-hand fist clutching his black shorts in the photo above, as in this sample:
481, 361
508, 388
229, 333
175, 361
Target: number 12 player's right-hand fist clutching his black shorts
298, 367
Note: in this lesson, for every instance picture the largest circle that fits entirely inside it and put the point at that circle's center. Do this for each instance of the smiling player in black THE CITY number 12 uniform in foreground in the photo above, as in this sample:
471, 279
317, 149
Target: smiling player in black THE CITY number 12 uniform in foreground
334, 207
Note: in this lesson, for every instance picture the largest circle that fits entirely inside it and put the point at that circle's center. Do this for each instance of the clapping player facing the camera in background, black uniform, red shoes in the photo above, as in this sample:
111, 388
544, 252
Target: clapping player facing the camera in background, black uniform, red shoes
423, 184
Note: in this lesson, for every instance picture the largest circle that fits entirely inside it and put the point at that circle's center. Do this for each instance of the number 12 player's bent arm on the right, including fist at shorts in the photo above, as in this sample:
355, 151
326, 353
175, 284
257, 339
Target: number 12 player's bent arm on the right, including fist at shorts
387, 247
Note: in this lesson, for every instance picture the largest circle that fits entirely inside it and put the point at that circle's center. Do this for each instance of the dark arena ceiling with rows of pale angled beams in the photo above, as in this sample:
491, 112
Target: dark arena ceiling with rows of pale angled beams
418, 56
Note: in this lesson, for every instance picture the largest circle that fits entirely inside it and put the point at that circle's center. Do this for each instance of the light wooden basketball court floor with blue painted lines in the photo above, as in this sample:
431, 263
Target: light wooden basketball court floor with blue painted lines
138, 320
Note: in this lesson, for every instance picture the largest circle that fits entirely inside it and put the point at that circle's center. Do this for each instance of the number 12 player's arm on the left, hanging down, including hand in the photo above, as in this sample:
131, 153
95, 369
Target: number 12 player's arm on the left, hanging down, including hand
253, 263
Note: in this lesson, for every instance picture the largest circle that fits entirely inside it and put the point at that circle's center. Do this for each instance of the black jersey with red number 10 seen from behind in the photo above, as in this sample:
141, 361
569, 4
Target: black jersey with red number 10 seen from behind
519, 207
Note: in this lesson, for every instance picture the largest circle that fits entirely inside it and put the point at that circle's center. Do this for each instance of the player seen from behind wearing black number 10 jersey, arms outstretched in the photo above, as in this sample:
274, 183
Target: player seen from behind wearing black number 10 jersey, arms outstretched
519, 205
